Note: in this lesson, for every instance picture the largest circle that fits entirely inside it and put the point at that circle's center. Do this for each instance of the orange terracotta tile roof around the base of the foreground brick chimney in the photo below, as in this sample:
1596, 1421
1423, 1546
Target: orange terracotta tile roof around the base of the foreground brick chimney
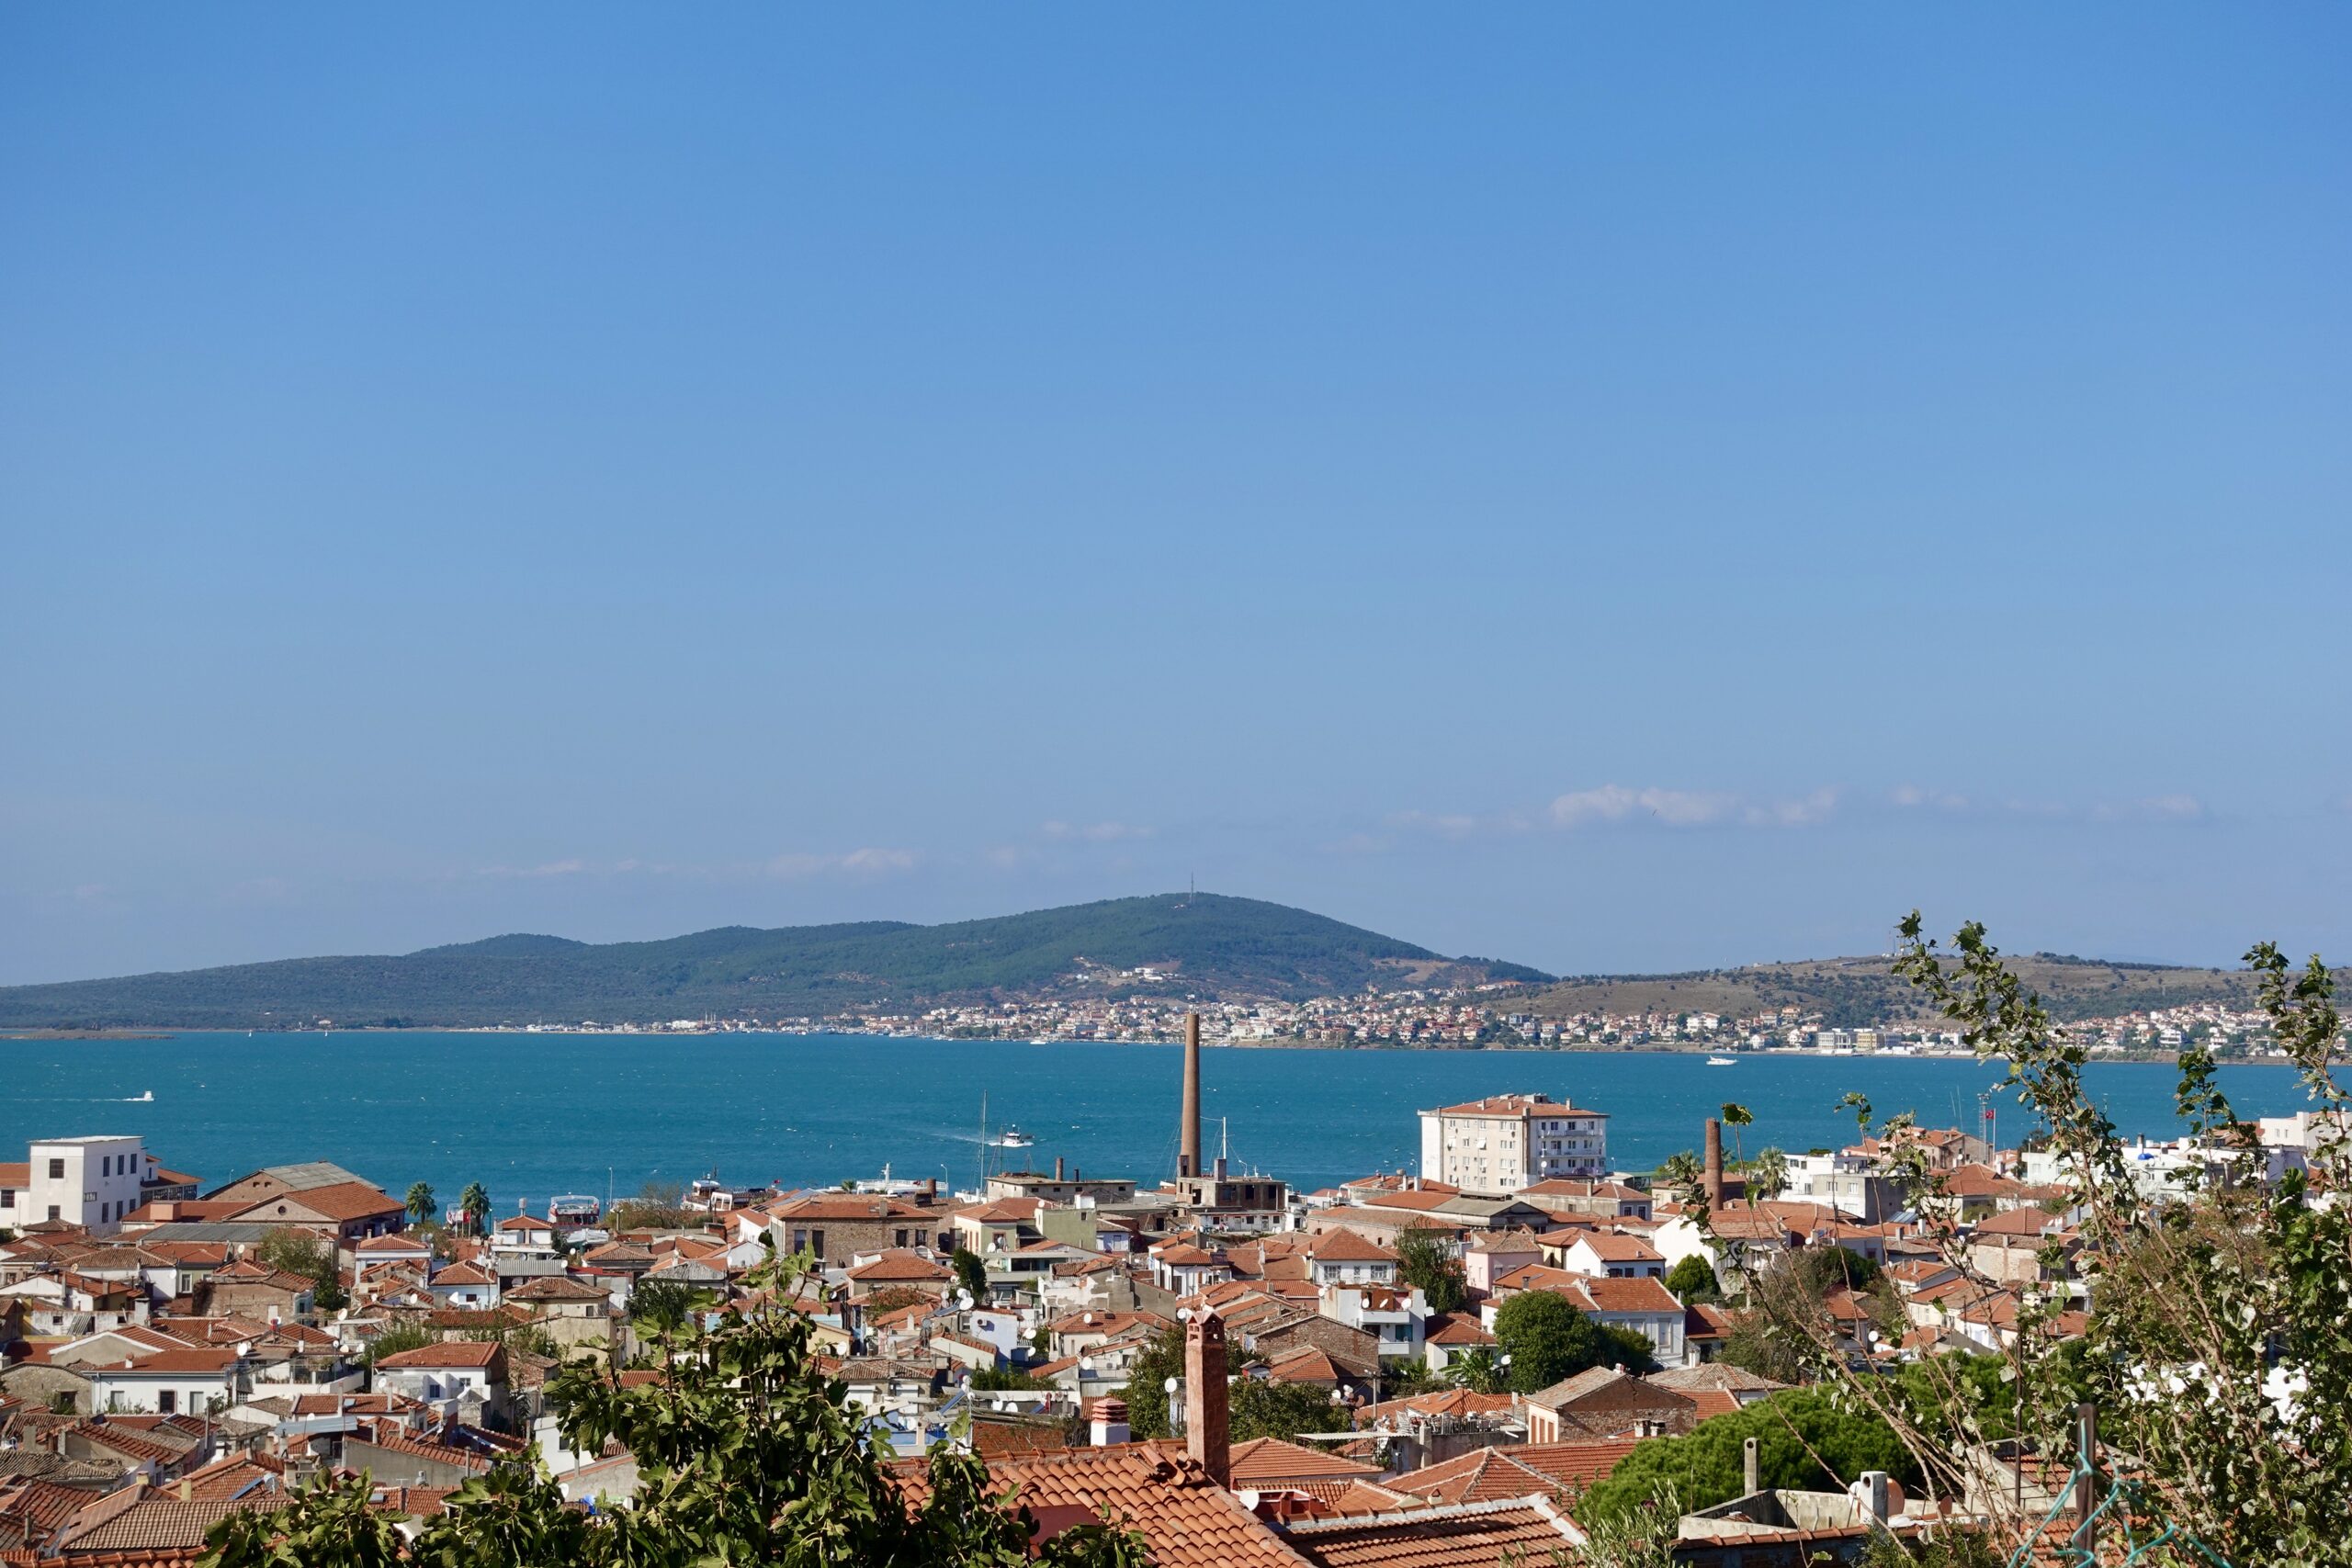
1187, 1520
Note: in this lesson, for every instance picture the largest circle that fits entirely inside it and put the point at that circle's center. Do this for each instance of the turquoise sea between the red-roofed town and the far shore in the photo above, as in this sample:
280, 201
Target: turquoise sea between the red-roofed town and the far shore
530, 1115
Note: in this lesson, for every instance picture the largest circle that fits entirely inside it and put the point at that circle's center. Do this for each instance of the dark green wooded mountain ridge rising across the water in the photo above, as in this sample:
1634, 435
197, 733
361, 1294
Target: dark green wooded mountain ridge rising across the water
1201, 944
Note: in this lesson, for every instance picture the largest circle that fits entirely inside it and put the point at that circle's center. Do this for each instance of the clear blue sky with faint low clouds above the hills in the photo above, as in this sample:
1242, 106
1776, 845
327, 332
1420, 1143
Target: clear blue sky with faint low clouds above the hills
1601, 488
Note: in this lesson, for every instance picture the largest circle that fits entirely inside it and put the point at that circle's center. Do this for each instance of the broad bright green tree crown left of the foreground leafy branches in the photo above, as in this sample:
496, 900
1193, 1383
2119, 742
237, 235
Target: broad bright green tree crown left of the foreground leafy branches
1805, 1442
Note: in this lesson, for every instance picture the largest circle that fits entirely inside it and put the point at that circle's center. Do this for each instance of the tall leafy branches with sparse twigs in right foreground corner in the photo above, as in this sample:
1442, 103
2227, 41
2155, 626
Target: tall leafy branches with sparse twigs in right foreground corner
2219, 1311
